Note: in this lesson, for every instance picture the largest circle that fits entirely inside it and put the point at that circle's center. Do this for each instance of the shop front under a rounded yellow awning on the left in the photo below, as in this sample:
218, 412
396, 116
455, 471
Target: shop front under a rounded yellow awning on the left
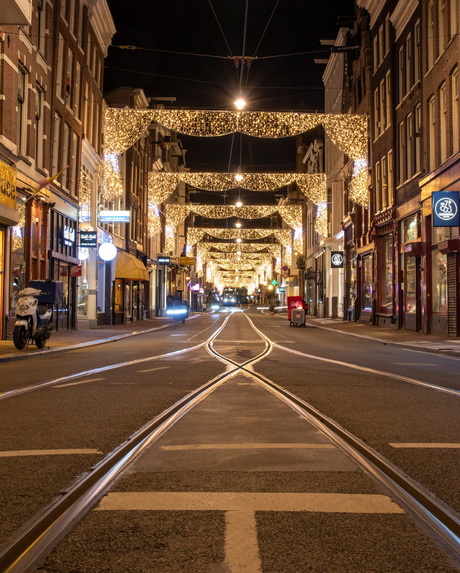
131, 288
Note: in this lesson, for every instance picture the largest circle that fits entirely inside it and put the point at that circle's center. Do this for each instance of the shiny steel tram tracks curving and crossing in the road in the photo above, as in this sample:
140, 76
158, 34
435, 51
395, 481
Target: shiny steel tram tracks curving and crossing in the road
41, 534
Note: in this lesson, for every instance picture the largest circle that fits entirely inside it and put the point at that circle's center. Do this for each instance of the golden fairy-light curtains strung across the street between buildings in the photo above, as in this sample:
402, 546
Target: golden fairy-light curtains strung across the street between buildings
123, 127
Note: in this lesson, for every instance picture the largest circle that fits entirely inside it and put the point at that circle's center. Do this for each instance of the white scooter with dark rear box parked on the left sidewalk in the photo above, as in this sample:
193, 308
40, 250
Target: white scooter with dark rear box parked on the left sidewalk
33, 321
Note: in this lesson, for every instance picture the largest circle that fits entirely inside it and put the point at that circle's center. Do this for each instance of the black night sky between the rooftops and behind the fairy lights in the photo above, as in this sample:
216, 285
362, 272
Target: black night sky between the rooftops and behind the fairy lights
188, 51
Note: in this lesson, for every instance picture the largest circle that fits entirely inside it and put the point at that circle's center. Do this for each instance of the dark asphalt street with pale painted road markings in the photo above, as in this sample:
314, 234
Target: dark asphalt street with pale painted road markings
237, 440
